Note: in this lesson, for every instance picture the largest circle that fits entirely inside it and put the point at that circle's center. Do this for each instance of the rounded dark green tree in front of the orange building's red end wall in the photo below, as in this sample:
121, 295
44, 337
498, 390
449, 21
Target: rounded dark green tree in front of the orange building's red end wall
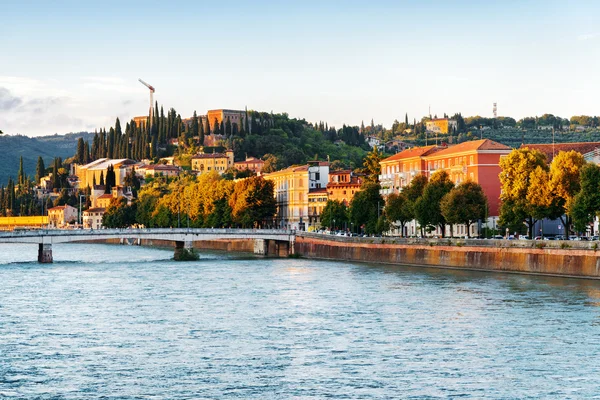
465, 204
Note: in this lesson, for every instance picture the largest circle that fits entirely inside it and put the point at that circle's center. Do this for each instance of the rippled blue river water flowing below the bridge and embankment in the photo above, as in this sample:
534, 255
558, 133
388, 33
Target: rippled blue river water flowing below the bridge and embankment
125, 322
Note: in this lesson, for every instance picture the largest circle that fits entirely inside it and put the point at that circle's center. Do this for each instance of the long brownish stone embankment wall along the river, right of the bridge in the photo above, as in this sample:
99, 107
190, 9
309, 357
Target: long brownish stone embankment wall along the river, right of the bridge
579, 259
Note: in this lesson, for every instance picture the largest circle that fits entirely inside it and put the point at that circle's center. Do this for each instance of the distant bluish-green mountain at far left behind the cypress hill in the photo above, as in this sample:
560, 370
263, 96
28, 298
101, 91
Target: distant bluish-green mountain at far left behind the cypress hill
13, 147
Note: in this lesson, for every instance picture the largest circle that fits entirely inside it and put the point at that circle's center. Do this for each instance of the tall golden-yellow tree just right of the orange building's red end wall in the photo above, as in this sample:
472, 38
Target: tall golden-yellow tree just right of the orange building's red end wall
515, 177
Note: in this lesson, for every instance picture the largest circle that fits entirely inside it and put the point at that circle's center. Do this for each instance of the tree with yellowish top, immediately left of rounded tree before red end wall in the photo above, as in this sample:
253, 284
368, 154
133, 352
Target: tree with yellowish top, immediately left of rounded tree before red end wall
427, 207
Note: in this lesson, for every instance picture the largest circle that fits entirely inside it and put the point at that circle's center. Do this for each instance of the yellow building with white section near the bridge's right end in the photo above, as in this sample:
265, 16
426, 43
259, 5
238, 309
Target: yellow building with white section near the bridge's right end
292, 188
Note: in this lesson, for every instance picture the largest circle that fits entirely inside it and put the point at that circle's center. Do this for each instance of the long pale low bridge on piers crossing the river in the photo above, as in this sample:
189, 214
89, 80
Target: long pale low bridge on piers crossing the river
182, 237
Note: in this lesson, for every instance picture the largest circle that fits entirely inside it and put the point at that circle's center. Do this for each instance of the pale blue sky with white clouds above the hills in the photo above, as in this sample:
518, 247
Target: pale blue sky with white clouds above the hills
70, 66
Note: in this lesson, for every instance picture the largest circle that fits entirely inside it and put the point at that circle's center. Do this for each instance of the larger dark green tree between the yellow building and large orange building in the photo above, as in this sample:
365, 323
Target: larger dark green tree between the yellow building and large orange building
364, 210
